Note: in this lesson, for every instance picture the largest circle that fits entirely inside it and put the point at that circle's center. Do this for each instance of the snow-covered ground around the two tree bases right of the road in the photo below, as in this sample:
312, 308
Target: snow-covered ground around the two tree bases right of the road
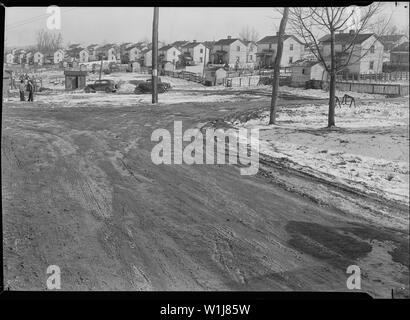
368, 151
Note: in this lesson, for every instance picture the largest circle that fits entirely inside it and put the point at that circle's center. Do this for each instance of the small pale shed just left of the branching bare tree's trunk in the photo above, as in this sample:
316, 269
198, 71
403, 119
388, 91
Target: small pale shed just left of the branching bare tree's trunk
306, 70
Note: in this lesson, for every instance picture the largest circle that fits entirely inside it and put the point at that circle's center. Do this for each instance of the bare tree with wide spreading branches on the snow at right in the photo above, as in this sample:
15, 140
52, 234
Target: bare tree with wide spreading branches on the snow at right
308, 23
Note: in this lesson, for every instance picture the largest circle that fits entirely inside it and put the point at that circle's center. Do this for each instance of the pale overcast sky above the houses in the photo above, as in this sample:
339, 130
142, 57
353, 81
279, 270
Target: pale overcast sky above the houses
99, 24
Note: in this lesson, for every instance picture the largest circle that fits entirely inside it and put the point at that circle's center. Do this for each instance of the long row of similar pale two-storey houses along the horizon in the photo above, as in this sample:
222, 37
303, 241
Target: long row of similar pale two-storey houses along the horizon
369, 52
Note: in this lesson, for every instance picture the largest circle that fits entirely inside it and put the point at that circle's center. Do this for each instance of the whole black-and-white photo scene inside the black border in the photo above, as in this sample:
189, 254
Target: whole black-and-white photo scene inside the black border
206, 149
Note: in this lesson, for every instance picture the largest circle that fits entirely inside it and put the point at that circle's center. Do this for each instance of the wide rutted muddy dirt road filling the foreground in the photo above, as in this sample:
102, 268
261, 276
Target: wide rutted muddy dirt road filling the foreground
80, 191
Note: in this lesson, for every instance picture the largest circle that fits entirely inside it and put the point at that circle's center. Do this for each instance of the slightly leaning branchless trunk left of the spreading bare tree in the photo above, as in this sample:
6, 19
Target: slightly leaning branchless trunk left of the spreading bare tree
276, 71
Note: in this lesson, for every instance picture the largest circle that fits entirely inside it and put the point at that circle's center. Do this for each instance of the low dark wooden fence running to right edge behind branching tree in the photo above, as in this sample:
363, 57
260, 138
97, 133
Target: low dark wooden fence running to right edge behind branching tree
374, 88
